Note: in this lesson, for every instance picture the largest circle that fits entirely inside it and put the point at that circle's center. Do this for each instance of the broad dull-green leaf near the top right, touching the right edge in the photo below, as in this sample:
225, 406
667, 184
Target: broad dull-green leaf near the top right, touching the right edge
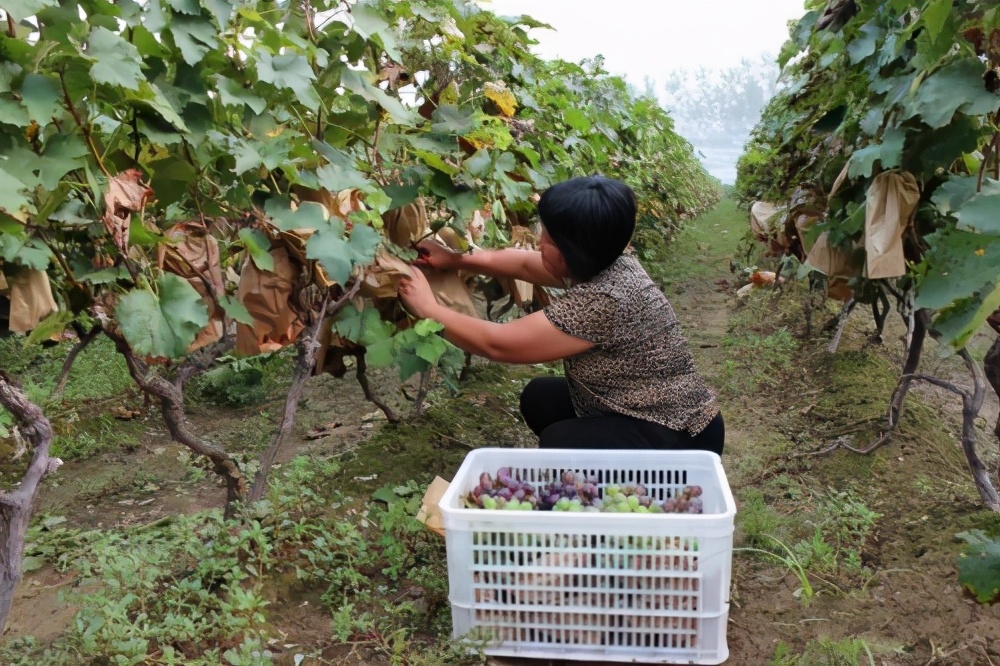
958, 86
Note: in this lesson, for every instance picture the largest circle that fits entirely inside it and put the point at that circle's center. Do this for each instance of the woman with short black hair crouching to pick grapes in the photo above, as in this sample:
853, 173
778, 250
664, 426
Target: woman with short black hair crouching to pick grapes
630, 378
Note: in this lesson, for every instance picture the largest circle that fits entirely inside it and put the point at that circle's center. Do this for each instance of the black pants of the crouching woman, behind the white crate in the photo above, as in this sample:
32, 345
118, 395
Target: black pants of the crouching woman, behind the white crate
548, 411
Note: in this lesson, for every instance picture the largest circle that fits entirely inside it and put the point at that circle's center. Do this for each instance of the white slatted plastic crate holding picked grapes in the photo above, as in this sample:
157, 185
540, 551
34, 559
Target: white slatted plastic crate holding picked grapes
646, 588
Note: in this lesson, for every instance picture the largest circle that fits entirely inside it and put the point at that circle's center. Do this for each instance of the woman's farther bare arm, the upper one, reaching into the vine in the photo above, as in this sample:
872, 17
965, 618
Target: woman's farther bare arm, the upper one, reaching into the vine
510, 263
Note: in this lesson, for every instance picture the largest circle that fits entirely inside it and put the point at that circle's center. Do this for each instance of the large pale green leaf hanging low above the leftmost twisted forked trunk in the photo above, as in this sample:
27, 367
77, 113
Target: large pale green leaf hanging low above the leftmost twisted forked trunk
164, 324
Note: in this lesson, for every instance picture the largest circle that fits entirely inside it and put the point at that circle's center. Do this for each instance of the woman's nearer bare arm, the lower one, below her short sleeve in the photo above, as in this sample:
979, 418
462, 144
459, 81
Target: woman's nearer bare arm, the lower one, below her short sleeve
530, 339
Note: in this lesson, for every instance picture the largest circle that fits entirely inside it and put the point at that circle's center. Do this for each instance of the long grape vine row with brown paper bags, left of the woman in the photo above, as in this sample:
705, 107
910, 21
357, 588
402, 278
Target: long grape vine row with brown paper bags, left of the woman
191, 176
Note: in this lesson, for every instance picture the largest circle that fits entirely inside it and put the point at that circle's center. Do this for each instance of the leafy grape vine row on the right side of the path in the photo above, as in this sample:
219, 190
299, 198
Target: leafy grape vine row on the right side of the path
910, 90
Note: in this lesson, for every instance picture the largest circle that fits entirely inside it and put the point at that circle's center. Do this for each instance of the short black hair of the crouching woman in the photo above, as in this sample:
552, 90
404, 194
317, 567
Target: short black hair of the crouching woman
591, 220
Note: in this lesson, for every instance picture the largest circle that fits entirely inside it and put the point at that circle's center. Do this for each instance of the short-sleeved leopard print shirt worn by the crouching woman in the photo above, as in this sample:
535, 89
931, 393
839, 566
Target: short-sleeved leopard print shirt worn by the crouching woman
640, 364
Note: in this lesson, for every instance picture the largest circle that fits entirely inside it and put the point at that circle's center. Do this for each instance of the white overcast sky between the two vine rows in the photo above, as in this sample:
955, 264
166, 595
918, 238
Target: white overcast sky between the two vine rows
640, 38
